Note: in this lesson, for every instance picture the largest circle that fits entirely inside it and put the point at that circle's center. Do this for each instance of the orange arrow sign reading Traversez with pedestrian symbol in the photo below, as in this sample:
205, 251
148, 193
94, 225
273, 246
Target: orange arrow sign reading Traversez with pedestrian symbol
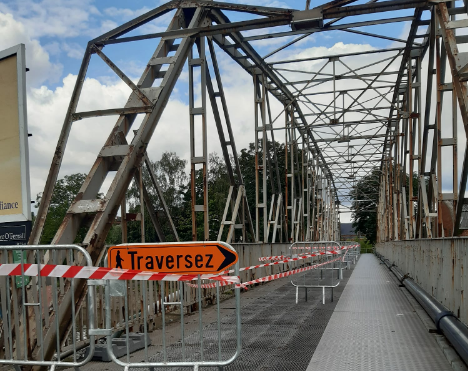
176, 257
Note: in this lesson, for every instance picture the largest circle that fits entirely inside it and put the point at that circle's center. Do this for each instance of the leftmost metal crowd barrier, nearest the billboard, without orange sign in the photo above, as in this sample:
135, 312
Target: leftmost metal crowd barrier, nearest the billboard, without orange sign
30, 304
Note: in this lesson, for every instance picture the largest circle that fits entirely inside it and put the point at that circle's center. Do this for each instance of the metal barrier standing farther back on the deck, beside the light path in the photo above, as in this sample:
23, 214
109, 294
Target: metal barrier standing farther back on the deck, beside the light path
312, 275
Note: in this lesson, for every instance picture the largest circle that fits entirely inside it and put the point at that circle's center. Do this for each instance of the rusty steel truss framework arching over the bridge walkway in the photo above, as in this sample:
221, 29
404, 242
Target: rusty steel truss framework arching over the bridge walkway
399, 110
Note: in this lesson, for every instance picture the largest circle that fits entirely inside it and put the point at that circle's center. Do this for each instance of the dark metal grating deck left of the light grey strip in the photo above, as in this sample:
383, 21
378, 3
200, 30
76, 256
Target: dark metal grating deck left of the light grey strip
277, 334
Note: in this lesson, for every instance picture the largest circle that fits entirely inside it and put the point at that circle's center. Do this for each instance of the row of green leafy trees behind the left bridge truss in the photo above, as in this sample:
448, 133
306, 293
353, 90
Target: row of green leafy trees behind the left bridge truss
174, 180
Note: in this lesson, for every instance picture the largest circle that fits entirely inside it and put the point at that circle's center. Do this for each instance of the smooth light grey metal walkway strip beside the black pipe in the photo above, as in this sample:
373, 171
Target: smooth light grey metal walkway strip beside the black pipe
374, 327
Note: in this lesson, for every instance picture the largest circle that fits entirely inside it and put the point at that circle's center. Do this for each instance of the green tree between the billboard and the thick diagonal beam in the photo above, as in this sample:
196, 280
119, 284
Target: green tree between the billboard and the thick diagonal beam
65, 191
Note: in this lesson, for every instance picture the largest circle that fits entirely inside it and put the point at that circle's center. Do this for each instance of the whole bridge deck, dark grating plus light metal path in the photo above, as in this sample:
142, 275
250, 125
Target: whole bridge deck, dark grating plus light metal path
371, 327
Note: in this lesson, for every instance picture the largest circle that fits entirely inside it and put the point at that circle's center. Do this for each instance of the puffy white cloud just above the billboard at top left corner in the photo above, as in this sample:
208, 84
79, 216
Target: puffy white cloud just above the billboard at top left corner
37, 58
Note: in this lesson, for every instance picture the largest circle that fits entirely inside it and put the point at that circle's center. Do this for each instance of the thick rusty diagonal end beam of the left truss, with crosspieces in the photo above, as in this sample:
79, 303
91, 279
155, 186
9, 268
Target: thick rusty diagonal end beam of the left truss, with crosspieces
102, 220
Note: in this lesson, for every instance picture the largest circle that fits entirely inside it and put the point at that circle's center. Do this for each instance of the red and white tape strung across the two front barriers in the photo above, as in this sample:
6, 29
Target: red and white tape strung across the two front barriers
67, 271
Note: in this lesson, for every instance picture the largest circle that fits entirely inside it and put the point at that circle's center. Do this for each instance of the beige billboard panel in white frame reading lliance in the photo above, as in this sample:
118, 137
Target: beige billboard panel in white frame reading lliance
15, 199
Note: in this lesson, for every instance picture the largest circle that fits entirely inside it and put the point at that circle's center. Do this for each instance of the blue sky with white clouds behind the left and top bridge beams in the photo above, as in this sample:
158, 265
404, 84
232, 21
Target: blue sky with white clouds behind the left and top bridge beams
56, 33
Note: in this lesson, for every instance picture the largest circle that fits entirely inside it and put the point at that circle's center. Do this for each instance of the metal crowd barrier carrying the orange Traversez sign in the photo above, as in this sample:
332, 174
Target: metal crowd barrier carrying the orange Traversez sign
206, 343
